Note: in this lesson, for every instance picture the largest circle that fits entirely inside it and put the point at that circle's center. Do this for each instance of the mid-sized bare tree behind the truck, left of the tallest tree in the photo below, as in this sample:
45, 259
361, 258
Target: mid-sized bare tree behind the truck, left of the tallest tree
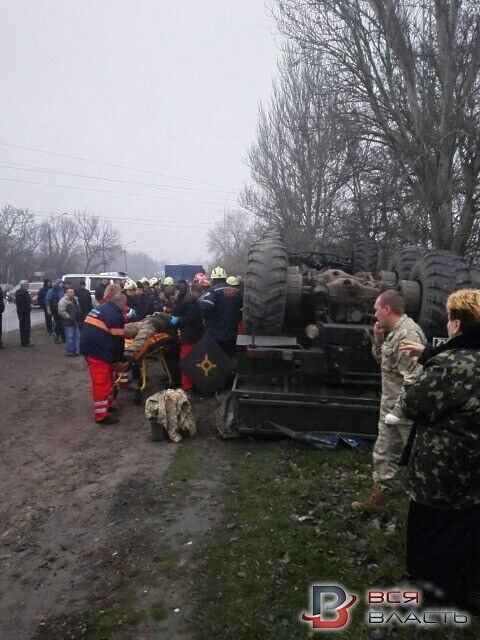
299, 162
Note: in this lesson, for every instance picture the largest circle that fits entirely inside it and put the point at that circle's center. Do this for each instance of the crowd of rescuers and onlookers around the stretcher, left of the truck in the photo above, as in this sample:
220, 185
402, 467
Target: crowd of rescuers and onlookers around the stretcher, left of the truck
96, 331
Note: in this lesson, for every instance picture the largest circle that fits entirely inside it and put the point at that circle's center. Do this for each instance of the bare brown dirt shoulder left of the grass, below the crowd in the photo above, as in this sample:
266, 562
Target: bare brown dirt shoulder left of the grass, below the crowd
93, 521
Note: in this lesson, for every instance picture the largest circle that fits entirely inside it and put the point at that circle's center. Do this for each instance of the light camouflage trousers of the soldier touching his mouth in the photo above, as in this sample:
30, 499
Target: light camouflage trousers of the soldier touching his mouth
387, 452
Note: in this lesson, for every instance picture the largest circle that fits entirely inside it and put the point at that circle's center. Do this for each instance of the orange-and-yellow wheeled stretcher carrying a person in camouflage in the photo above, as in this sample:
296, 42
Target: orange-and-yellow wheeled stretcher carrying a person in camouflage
135, 376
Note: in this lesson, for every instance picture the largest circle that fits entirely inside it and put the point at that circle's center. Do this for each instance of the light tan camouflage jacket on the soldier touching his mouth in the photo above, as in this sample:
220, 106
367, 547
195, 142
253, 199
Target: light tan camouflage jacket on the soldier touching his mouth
397, 368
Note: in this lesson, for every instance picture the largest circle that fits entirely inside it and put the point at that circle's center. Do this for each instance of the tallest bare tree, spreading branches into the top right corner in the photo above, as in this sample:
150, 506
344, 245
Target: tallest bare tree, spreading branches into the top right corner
406, 75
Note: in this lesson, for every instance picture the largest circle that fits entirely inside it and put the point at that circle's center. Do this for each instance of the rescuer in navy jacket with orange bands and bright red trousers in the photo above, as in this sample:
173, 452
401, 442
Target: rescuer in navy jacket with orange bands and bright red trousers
102, 344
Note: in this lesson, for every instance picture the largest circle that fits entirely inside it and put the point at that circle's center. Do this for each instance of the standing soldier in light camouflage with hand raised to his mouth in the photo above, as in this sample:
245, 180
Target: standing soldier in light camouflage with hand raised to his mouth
397, 369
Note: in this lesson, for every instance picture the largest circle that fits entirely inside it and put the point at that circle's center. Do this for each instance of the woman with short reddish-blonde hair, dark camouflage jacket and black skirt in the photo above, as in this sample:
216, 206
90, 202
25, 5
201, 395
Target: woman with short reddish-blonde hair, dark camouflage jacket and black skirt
443, 458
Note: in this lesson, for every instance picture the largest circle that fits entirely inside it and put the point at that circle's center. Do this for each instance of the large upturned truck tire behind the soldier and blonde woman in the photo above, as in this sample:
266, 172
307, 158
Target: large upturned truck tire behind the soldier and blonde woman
438, 273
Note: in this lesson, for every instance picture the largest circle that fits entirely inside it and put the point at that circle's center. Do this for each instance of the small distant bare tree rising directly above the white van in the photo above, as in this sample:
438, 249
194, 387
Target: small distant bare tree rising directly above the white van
100, 242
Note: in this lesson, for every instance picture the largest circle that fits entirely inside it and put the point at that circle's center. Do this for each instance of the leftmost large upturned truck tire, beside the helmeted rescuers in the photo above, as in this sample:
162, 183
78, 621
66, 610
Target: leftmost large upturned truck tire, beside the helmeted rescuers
265, 289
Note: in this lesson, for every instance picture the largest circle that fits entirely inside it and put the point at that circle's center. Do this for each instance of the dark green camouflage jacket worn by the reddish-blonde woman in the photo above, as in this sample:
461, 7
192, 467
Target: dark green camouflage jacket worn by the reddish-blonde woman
444, 402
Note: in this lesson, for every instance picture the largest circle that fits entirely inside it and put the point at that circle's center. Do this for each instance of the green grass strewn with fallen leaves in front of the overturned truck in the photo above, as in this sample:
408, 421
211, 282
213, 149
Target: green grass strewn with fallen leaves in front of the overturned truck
255, 573
